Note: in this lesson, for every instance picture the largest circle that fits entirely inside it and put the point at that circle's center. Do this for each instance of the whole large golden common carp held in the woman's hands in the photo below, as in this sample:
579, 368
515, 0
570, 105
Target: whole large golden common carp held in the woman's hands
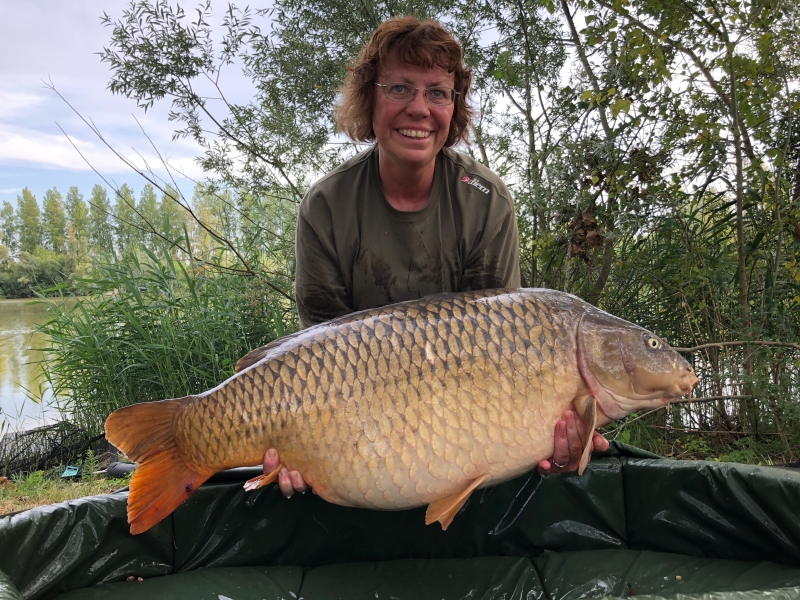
415, 403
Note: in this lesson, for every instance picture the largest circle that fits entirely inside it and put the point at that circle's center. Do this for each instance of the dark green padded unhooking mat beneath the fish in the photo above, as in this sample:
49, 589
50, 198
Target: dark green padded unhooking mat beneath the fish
633, 526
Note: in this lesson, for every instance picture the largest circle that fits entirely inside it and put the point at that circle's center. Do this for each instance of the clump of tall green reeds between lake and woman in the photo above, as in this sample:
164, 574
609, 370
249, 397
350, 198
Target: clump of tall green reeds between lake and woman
152, 328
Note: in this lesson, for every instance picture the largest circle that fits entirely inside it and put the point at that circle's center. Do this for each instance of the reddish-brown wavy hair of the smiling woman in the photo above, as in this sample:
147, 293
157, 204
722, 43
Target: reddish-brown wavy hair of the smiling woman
425, 44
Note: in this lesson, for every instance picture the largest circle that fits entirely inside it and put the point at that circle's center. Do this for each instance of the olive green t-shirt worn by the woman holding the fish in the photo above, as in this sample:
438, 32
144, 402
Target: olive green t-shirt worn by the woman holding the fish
355, 251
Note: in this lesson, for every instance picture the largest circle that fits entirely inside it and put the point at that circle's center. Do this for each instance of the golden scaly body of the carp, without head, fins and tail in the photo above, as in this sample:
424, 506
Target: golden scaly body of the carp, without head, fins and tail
403, 407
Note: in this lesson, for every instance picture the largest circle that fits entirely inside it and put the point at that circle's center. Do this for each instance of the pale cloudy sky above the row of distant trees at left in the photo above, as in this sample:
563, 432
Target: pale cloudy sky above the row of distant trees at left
59, 41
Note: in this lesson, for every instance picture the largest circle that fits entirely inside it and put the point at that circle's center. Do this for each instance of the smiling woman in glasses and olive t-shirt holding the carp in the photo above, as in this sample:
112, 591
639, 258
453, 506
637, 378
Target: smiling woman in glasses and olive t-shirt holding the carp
408, 217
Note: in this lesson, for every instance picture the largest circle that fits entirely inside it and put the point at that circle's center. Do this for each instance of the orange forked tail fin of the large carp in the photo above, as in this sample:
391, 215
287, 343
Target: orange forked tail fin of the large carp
144, 432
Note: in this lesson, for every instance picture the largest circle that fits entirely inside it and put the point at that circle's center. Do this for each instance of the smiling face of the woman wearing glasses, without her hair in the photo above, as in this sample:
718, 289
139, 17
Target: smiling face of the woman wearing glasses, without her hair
411, 134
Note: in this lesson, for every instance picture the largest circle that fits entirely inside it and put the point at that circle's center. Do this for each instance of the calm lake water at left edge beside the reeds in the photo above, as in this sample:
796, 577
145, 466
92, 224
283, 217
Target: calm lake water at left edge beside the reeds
18, 320
